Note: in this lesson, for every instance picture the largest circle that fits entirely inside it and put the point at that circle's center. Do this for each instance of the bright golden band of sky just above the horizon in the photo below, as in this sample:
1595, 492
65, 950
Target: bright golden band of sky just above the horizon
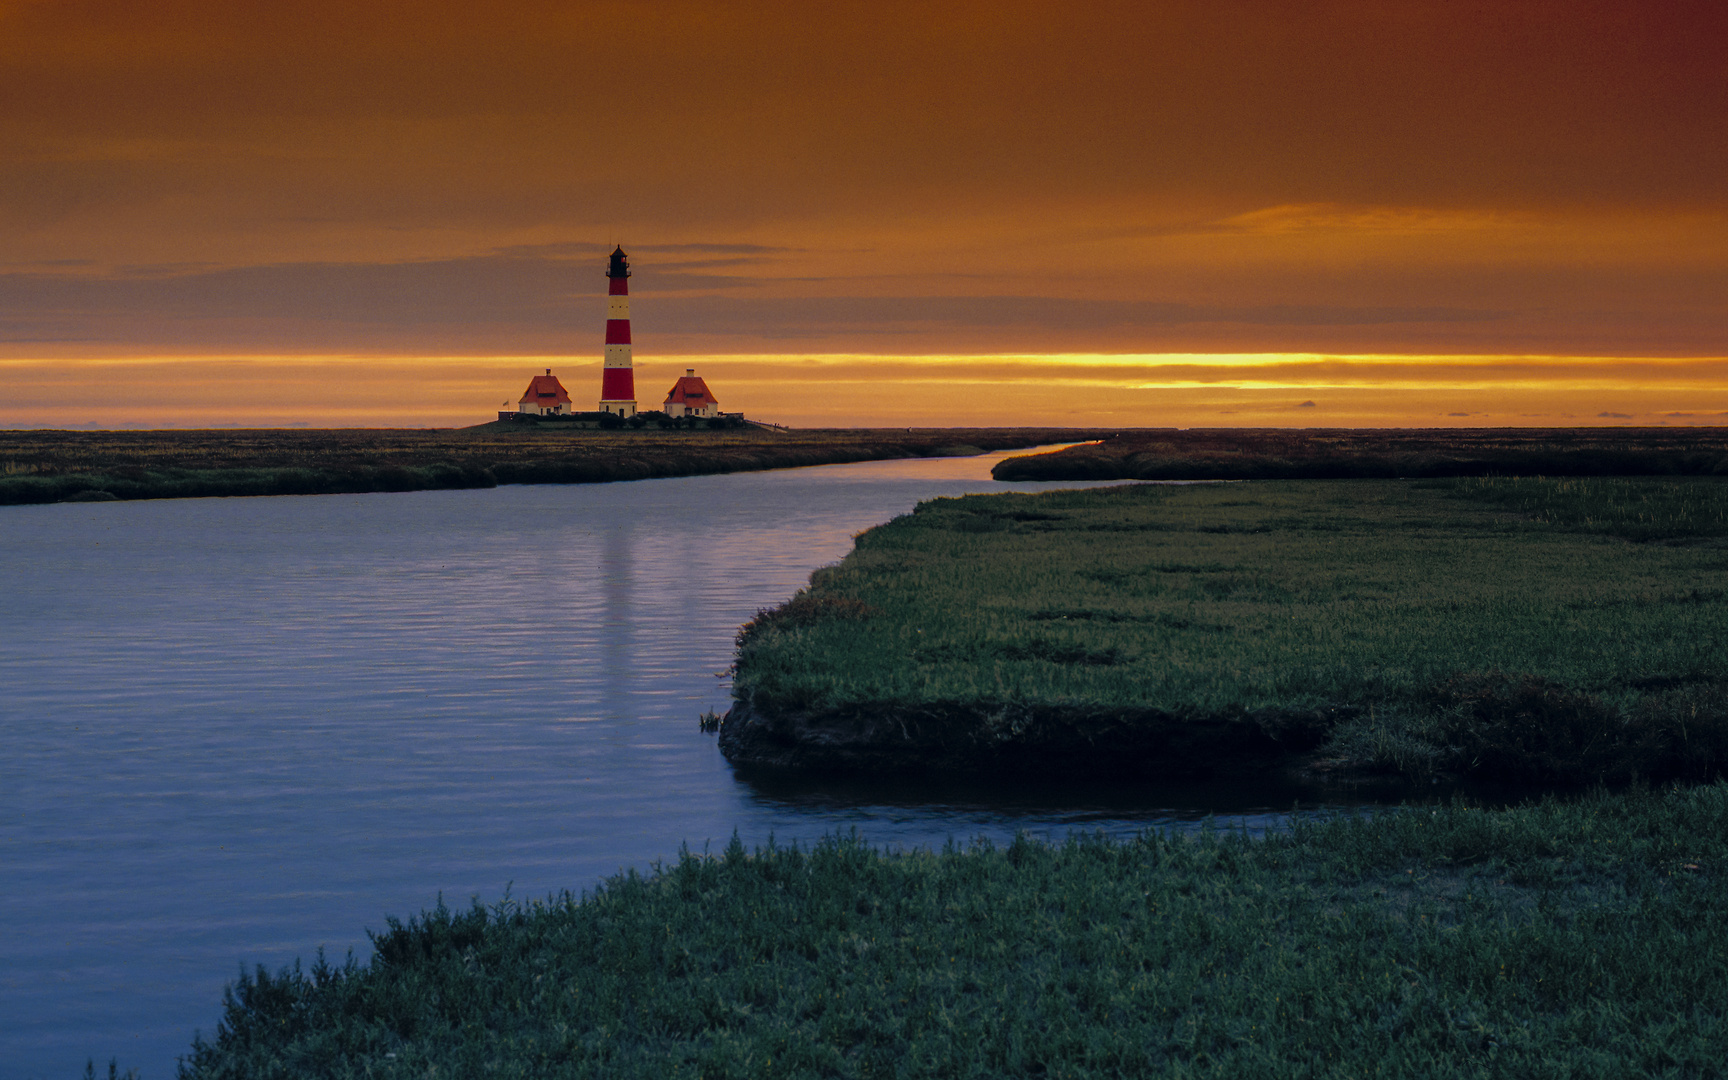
1172, 390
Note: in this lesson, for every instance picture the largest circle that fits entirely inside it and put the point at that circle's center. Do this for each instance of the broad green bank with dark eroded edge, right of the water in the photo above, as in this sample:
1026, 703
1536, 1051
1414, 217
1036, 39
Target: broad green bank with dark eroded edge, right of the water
1560, 632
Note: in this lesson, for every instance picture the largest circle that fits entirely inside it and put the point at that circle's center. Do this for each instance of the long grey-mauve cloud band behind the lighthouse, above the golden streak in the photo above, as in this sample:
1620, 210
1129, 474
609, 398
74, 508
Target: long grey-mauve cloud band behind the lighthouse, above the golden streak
549, 298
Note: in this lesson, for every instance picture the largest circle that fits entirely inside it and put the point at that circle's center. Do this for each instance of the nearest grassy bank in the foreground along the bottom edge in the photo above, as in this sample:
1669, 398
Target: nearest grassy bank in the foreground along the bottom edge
1580, 939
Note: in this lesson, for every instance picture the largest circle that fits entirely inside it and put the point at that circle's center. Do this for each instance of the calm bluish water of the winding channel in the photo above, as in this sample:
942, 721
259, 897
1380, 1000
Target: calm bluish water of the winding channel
241, 730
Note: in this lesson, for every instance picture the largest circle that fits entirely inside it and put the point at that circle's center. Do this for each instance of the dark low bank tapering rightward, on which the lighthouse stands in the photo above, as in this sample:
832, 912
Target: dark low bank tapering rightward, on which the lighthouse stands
51, 467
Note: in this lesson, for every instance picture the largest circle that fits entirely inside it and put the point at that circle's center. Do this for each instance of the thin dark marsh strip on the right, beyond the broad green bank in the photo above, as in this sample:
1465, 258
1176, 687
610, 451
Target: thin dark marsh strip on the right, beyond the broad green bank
1319, 455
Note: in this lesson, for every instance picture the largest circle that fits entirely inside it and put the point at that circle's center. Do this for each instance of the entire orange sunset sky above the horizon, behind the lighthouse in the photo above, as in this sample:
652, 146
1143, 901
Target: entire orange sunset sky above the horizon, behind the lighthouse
1382, 212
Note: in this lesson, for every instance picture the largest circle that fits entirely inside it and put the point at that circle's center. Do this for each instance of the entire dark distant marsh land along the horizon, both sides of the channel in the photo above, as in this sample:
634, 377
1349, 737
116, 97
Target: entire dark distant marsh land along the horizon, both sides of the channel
68, 466
